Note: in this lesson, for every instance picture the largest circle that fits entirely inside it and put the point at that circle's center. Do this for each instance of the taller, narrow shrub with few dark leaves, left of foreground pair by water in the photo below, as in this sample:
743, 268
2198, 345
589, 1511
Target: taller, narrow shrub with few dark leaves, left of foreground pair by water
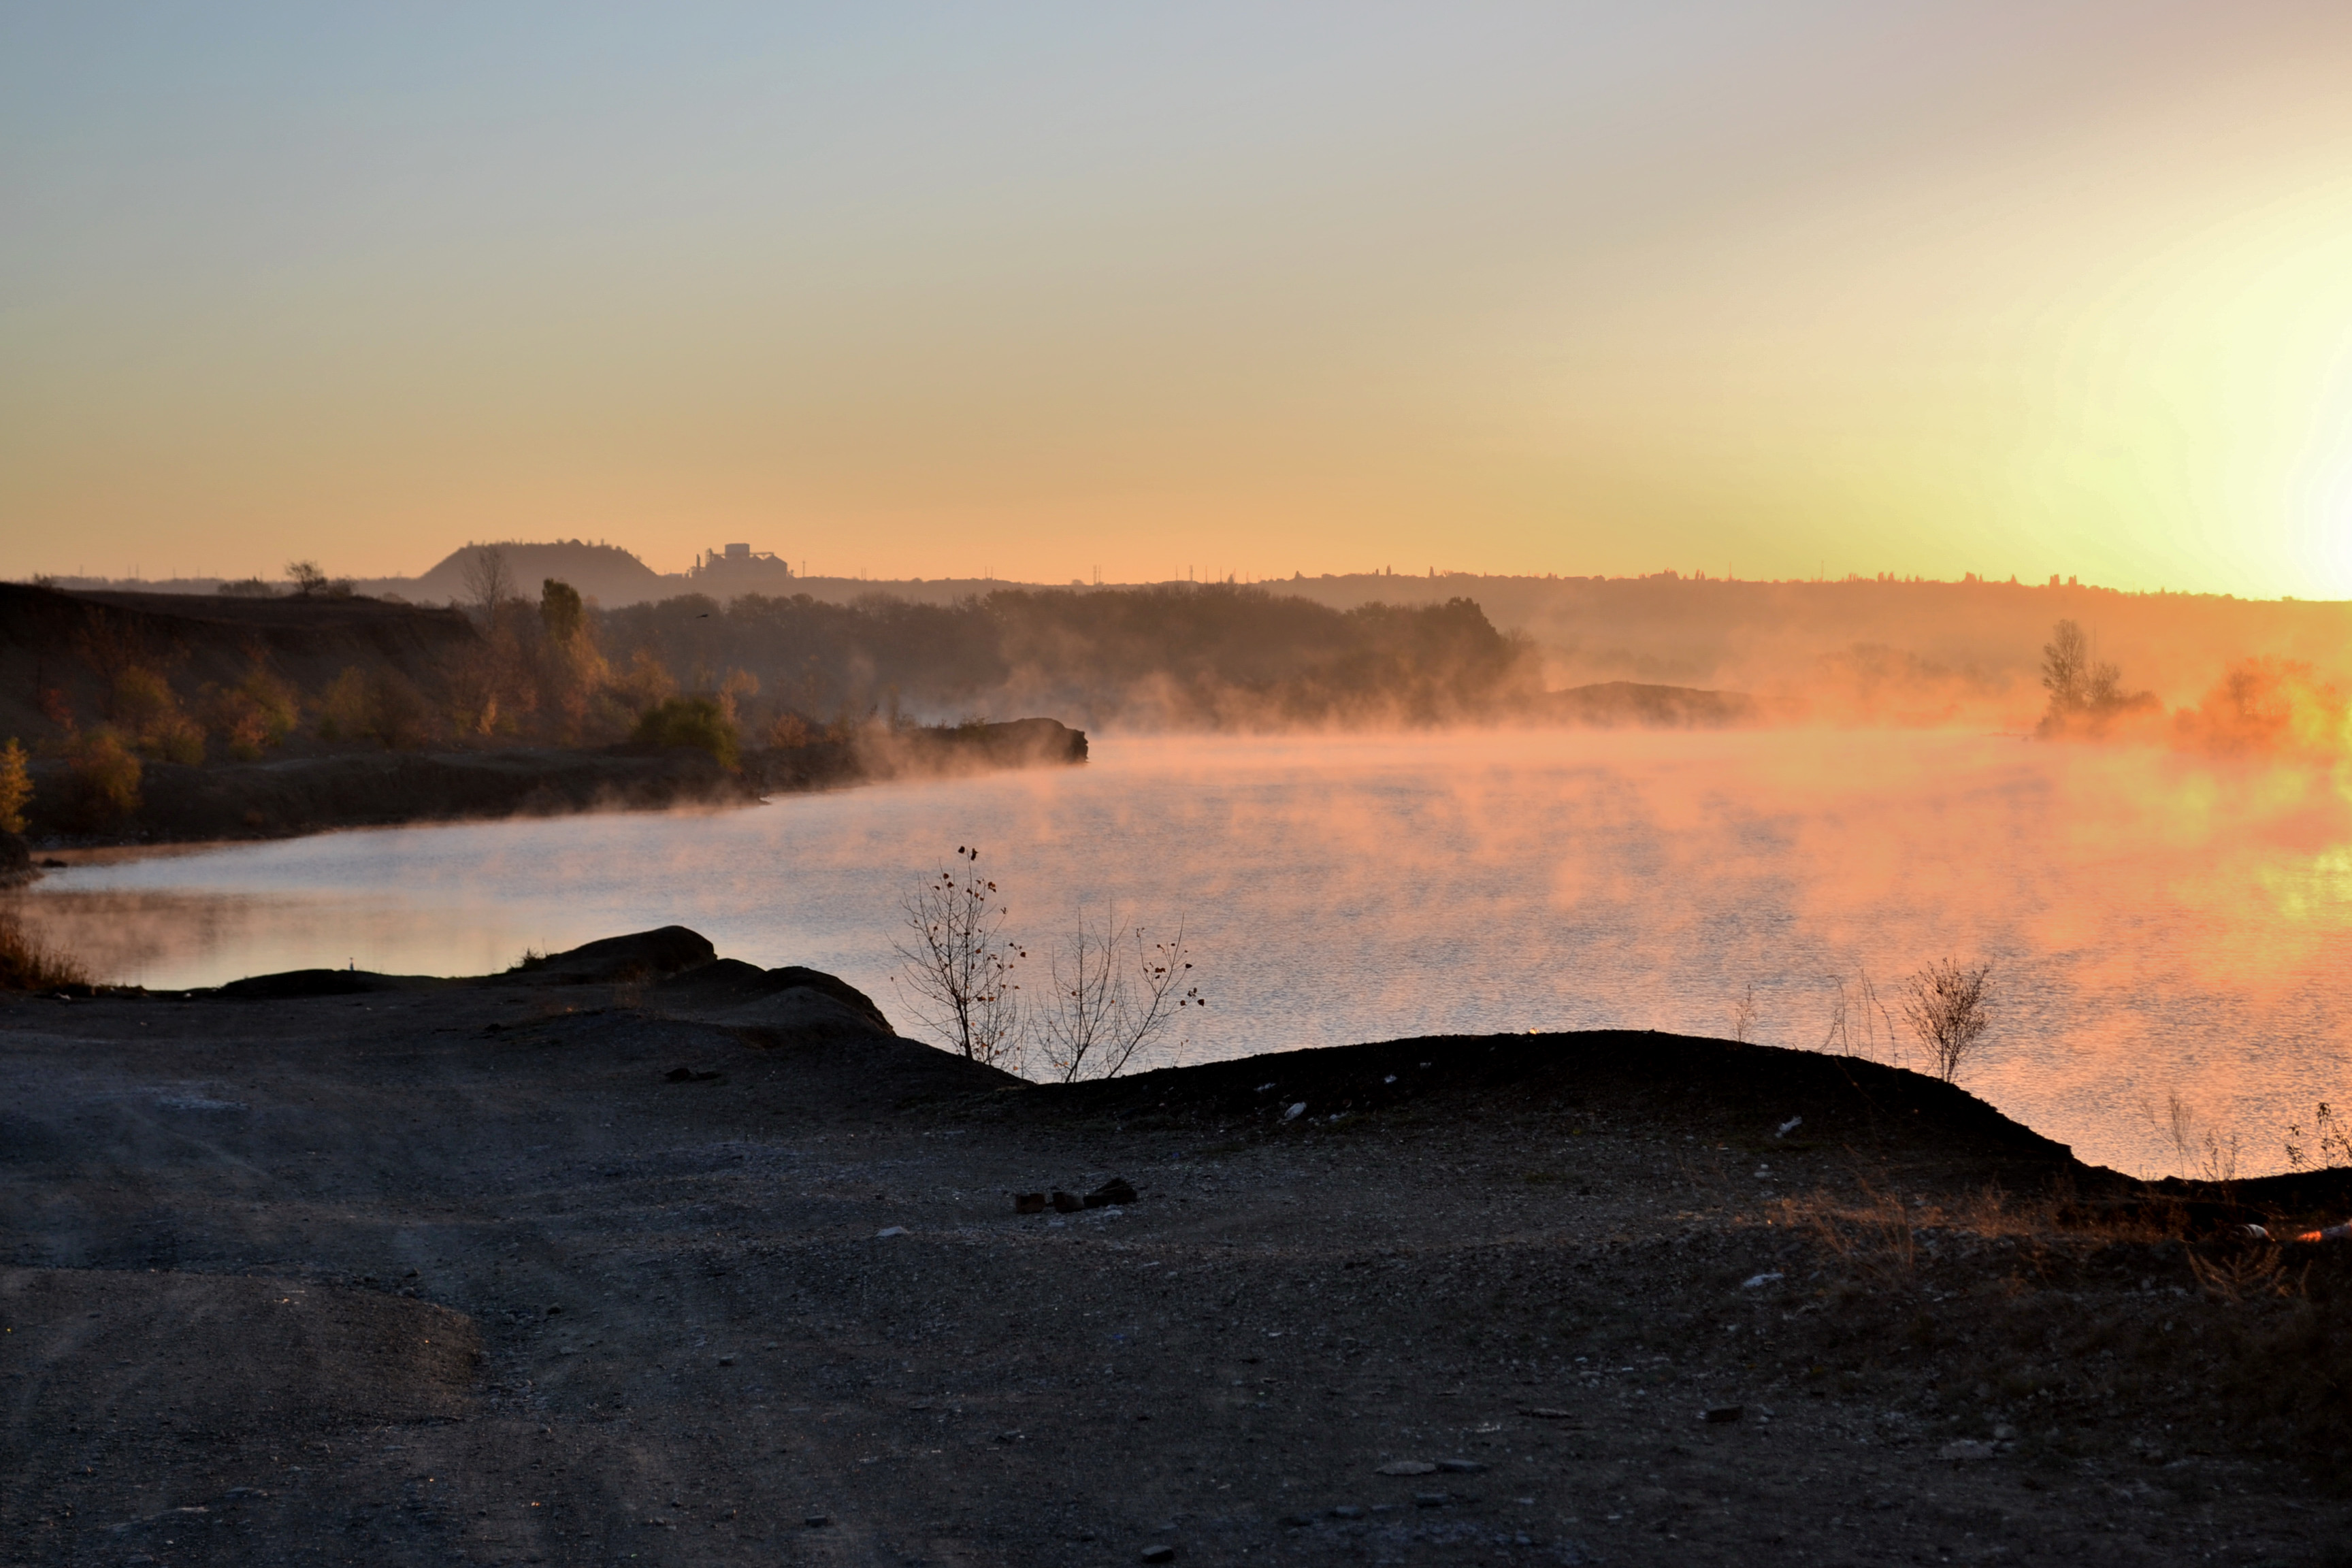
958, 965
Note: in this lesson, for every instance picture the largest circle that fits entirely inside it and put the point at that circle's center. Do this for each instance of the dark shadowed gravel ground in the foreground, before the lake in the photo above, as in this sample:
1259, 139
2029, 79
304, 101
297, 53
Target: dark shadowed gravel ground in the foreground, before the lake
460, 1275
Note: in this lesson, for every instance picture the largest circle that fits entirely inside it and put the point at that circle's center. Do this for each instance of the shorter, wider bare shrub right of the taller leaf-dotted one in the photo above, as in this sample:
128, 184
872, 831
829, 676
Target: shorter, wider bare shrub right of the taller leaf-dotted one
1111, 998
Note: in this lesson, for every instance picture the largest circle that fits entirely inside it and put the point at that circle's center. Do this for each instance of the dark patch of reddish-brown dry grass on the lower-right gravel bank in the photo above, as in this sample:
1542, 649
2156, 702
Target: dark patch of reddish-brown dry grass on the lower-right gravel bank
2087, 1325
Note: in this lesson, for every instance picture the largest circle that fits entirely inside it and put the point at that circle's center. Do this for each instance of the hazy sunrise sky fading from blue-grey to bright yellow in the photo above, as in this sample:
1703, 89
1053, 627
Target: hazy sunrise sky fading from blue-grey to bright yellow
1064, 290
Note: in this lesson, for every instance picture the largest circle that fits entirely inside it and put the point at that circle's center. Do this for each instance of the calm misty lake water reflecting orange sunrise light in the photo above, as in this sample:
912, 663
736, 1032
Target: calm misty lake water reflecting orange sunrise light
2158, 925
